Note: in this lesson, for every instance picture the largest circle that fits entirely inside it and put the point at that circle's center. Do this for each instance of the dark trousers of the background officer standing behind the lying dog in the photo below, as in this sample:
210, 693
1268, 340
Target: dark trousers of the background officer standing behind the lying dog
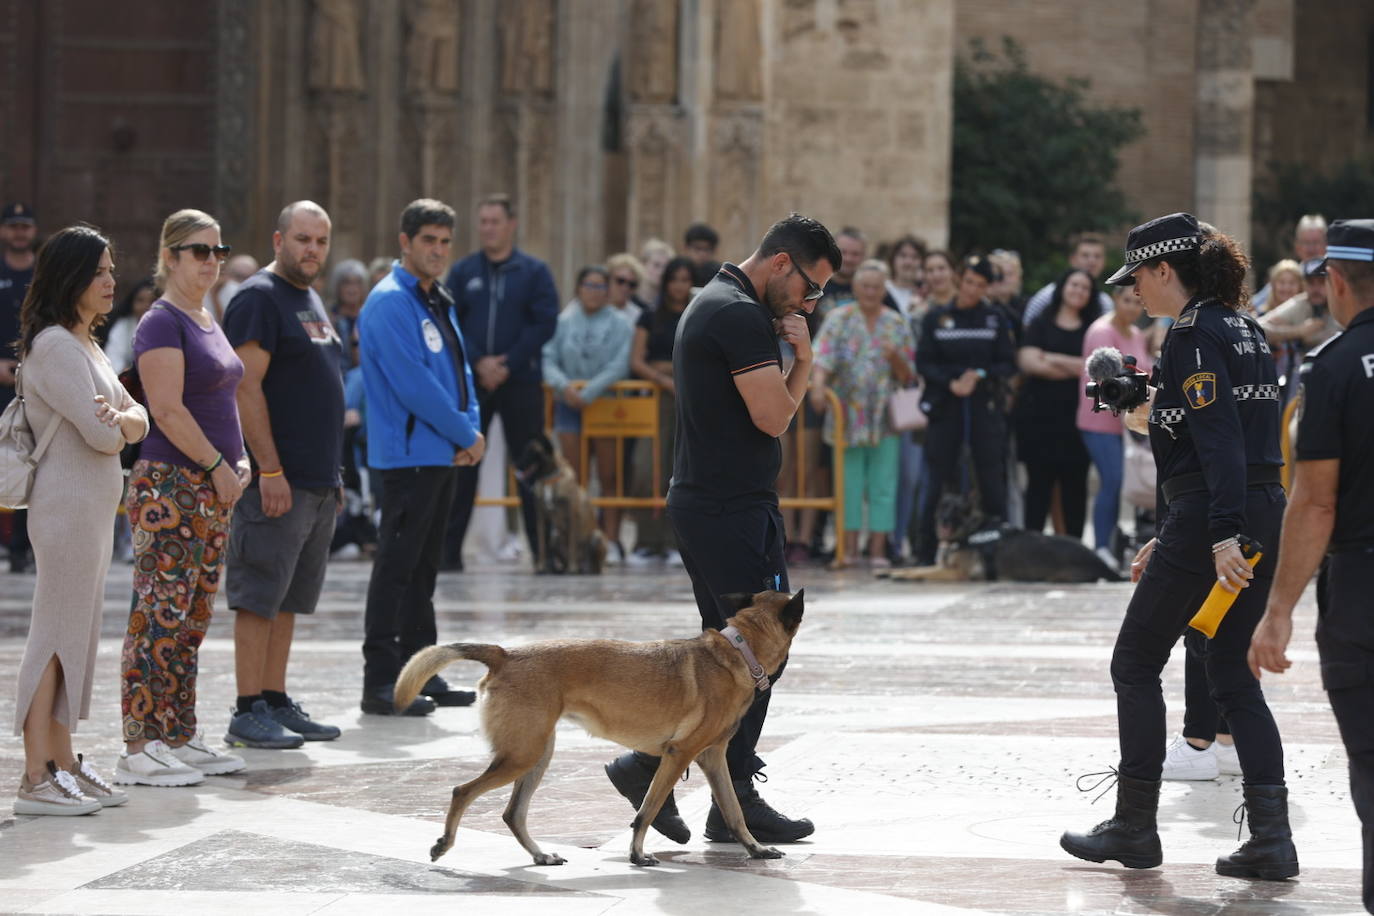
987, 435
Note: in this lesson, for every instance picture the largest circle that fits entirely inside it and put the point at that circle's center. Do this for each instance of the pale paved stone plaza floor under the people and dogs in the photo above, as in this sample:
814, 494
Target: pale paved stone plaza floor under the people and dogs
934, 734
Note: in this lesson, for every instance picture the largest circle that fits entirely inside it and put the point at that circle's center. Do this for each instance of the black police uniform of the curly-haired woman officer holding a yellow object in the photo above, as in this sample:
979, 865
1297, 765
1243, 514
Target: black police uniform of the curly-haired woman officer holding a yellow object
1215, 436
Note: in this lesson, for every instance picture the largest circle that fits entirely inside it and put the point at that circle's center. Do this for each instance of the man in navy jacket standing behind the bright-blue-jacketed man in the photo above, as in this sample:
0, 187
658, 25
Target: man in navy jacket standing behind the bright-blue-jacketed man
508, 307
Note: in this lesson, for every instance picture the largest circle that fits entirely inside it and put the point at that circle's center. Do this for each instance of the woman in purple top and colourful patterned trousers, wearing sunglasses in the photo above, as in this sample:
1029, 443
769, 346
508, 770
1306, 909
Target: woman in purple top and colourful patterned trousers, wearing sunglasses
182, 490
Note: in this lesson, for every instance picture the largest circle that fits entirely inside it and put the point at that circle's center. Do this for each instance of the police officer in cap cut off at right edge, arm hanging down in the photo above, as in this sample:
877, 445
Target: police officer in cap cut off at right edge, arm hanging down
1332, 516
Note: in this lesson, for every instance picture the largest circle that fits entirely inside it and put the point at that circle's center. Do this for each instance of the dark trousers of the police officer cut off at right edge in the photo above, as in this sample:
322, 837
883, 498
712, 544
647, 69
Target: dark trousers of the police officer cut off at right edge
1346, 642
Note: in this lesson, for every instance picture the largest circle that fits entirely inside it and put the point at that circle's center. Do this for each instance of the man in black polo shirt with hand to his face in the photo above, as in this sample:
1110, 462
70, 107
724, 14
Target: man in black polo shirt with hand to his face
733, 403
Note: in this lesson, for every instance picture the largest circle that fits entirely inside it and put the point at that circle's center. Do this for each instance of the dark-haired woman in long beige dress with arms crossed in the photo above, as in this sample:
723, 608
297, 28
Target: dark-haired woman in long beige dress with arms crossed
76, 491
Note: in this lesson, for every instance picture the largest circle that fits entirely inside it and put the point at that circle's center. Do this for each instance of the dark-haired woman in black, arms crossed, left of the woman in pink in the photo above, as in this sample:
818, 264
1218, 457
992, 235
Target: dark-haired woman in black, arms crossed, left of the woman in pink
1046, 415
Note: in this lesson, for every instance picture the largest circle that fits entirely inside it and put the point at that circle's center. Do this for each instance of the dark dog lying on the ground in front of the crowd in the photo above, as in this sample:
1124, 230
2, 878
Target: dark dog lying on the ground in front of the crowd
978, 549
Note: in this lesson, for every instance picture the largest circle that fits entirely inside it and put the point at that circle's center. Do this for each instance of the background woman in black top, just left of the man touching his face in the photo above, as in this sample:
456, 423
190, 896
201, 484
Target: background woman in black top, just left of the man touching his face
652, 359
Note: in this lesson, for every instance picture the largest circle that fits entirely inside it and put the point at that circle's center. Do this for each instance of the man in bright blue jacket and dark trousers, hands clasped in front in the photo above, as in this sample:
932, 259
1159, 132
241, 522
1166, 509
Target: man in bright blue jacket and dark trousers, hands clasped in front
423, 424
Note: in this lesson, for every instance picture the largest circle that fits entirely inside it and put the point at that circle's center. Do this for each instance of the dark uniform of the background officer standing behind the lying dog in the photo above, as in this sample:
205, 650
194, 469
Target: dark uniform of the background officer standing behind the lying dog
956, 340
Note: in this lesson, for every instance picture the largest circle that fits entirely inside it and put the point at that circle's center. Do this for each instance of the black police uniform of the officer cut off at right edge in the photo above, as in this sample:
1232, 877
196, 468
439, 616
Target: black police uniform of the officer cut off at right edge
1336, 424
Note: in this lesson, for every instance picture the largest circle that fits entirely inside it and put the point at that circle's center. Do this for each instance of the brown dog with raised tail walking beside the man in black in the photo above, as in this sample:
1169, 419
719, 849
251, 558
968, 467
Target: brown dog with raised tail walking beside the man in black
678, 700
